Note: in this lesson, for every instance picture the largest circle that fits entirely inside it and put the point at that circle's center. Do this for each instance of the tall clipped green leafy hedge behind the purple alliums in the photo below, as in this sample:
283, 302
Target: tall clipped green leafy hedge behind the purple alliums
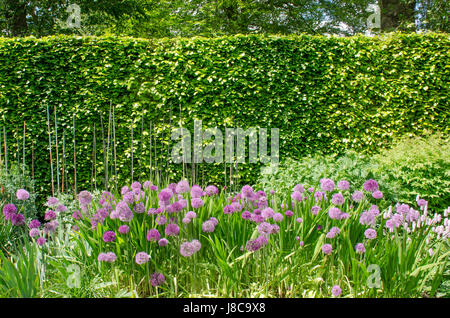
326, 94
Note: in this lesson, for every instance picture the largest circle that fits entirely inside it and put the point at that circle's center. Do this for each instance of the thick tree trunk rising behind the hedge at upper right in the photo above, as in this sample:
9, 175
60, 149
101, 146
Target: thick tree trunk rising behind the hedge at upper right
397, 14
